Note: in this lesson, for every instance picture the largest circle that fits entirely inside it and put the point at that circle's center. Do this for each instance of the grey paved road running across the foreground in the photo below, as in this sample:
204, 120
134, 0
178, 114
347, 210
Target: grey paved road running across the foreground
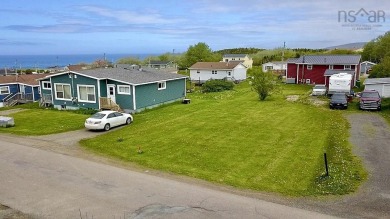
52, 185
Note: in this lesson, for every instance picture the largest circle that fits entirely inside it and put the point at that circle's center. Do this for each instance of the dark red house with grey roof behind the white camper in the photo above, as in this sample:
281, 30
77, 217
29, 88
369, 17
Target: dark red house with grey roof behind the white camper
316, 69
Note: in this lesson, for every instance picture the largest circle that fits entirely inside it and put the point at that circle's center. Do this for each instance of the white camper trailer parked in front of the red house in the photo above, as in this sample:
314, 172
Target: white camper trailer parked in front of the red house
340, 83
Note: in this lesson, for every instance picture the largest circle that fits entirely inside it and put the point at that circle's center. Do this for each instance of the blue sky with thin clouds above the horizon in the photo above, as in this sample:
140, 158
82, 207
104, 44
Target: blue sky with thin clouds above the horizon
139, 27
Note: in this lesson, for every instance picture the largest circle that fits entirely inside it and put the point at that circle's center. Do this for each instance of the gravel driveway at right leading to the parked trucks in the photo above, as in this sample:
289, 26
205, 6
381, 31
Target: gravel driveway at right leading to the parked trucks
370, 135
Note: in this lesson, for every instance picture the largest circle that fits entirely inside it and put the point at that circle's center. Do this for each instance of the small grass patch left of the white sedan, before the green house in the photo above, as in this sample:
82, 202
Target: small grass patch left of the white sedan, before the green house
44, 121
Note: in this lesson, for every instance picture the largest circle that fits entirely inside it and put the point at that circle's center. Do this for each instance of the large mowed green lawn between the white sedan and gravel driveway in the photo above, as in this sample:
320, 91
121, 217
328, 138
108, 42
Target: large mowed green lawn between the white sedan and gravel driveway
232, 138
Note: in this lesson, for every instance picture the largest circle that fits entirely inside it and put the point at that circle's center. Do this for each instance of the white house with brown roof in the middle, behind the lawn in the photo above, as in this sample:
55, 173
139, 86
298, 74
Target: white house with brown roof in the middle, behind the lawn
203, 71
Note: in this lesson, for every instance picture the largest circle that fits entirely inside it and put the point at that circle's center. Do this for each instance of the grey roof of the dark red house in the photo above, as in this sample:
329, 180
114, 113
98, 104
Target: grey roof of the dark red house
327, 59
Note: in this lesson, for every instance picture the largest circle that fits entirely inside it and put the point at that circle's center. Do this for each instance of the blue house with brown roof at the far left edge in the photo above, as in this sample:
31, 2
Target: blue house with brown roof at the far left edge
16, 89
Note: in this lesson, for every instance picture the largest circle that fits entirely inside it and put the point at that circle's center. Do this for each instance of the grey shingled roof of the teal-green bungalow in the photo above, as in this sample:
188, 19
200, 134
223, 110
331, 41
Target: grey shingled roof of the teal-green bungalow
130, 76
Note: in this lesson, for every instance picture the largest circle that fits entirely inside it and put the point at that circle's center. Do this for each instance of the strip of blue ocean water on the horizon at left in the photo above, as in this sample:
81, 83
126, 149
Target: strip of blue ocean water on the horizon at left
45, 61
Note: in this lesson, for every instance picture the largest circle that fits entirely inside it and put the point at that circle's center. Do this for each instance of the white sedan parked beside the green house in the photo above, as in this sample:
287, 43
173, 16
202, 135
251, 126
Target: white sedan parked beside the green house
105, 120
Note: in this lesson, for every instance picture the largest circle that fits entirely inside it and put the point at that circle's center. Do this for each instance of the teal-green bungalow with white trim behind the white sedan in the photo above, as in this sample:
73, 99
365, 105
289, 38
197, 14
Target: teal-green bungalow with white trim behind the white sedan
130, 90
